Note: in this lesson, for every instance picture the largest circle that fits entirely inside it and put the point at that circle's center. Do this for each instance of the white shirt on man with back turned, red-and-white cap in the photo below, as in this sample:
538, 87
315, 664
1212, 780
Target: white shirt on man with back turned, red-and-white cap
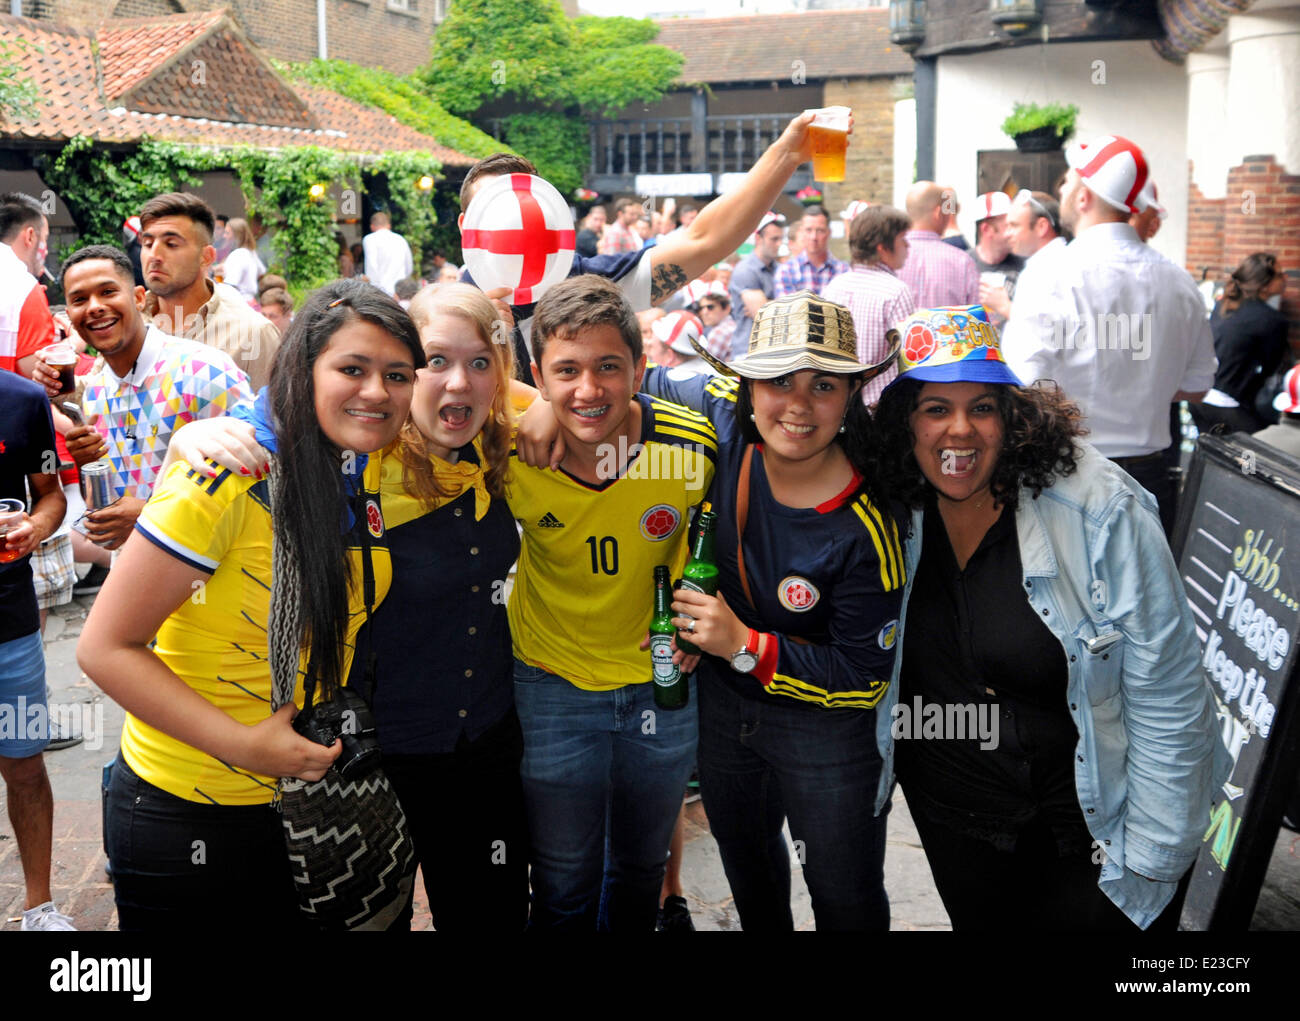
1121, 328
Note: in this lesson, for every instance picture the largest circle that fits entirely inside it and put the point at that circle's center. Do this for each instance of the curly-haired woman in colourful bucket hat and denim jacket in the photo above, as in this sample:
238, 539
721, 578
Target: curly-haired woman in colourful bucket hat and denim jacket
1055, 733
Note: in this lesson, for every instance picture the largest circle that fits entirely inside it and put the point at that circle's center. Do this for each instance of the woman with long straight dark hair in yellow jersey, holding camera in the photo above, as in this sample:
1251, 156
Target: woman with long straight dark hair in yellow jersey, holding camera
192, 832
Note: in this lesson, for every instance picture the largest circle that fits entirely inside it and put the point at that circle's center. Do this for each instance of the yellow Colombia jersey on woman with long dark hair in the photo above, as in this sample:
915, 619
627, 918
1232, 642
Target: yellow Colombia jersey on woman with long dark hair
216, 642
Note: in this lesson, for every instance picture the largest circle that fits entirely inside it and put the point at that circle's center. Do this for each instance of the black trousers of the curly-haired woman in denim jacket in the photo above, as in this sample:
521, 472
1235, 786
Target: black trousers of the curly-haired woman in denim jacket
1029, 890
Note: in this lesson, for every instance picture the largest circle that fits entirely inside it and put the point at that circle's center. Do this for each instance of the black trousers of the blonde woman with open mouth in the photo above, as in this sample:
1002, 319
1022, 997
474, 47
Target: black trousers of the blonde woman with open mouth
466, 812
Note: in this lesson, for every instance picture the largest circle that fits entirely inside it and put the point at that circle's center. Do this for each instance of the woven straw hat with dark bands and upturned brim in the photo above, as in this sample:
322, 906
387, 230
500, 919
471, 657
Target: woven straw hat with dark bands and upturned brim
796, 332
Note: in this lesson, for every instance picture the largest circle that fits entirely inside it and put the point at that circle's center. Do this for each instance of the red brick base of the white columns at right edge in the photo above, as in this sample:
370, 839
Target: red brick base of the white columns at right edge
1260, 213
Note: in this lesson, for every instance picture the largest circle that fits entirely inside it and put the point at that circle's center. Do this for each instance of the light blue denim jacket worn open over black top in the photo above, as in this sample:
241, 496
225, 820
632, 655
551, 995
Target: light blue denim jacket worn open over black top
1150, 756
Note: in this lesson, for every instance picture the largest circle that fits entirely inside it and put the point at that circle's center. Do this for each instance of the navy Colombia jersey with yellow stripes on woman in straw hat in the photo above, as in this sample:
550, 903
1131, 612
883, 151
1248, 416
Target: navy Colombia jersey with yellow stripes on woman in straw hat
827, 581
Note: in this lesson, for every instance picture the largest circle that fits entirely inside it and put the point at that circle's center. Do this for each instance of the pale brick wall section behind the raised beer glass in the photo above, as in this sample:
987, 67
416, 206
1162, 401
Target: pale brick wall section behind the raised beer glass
869, 167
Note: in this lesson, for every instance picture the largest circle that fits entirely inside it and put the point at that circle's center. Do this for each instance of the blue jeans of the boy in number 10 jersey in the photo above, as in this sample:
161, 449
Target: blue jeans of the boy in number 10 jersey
604, 778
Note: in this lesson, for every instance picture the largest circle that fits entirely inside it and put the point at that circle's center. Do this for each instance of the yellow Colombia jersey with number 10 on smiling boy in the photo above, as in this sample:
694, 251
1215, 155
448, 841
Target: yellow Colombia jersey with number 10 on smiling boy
584, 594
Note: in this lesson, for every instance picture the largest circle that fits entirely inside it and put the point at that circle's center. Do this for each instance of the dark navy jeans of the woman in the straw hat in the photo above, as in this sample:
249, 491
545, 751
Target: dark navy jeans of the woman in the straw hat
764, 762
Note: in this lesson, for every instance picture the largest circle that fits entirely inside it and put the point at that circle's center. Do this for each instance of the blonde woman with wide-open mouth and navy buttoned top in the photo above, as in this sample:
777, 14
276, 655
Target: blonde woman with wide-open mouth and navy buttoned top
444, 702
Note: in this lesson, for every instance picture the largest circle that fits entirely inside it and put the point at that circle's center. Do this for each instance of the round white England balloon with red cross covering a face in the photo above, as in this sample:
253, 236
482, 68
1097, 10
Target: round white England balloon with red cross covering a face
518, 233
